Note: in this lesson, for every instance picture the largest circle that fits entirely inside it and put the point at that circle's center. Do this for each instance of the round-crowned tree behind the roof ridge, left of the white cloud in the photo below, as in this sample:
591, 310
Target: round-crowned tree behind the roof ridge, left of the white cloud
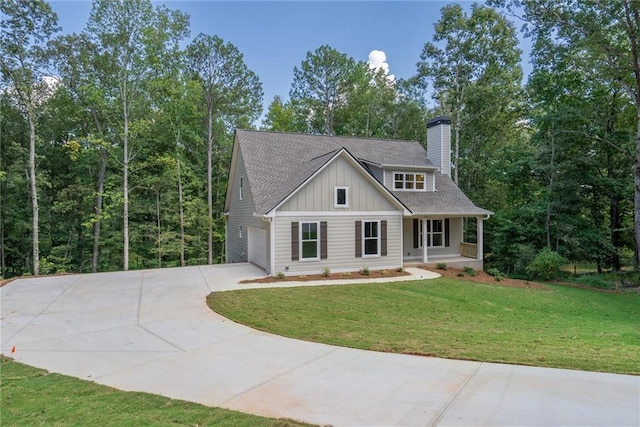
321, 85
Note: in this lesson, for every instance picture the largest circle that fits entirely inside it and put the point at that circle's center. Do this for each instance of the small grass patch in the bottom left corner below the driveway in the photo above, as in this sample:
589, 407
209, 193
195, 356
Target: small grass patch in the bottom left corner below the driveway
31, 396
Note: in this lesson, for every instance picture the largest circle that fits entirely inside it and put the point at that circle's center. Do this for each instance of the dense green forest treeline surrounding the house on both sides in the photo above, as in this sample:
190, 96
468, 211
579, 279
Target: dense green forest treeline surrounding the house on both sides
116, 141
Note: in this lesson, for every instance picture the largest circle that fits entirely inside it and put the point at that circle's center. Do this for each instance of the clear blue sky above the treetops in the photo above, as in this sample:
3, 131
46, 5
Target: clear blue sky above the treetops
274, 37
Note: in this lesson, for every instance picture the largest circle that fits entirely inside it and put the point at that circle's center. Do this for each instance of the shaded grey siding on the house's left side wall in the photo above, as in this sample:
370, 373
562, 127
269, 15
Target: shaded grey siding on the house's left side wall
241, 213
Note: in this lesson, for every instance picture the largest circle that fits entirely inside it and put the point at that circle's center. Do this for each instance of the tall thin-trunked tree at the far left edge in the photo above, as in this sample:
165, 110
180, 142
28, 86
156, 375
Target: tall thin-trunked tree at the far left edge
27, 27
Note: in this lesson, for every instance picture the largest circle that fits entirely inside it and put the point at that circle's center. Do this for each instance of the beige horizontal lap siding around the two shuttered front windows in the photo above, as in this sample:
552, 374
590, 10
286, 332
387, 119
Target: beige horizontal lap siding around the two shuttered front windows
340, 244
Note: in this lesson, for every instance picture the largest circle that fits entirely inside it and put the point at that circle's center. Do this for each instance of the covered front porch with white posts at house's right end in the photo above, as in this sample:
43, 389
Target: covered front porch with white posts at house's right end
433, 241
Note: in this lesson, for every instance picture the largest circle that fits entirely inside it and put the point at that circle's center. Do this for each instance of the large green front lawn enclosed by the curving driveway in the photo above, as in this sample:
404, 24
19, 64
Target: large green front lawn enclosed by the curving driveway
560, 327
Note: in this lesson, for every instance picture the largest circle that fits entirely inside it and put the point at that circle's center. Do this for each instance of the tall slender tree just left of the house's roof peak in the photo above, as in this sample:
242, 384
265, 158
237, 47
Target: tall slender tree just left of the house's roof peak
232, 94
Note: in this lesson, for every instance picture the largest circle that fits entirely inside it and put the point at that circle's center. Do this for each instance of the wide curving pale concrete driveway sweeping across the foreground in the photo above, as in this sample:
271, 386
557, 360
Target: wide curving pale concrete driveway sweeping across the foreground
152, 331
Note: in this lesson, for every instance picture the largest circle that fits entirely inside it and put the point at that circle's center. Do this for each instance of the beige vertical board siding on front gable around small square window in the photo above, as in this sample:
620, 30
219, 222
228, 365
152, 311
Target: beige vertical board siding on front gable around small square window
318, 194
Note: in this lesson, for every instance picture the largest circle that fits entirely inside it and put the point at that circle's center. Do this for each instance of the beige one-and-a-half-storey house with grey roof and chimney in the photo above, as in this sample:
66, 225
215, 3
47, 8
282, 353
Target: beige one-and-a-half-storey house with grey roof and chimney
298, 204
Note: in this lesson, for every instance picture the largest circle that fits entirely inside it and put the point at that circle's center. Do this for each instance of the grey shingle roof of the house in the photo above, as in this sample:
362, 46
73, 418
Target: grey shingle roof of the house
277, 163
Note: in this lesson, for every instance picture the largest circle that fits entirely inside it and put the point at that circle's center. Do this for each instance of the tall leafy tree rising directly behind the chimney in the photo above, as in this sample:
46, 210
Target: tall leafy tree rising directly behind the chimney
473, 65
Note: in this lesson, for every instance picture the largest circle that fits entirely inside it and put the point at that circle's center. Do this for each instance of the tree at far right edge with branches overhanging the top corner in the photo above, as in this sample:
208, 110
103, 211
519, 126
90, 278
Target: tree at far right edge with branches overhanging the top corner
608, 35
